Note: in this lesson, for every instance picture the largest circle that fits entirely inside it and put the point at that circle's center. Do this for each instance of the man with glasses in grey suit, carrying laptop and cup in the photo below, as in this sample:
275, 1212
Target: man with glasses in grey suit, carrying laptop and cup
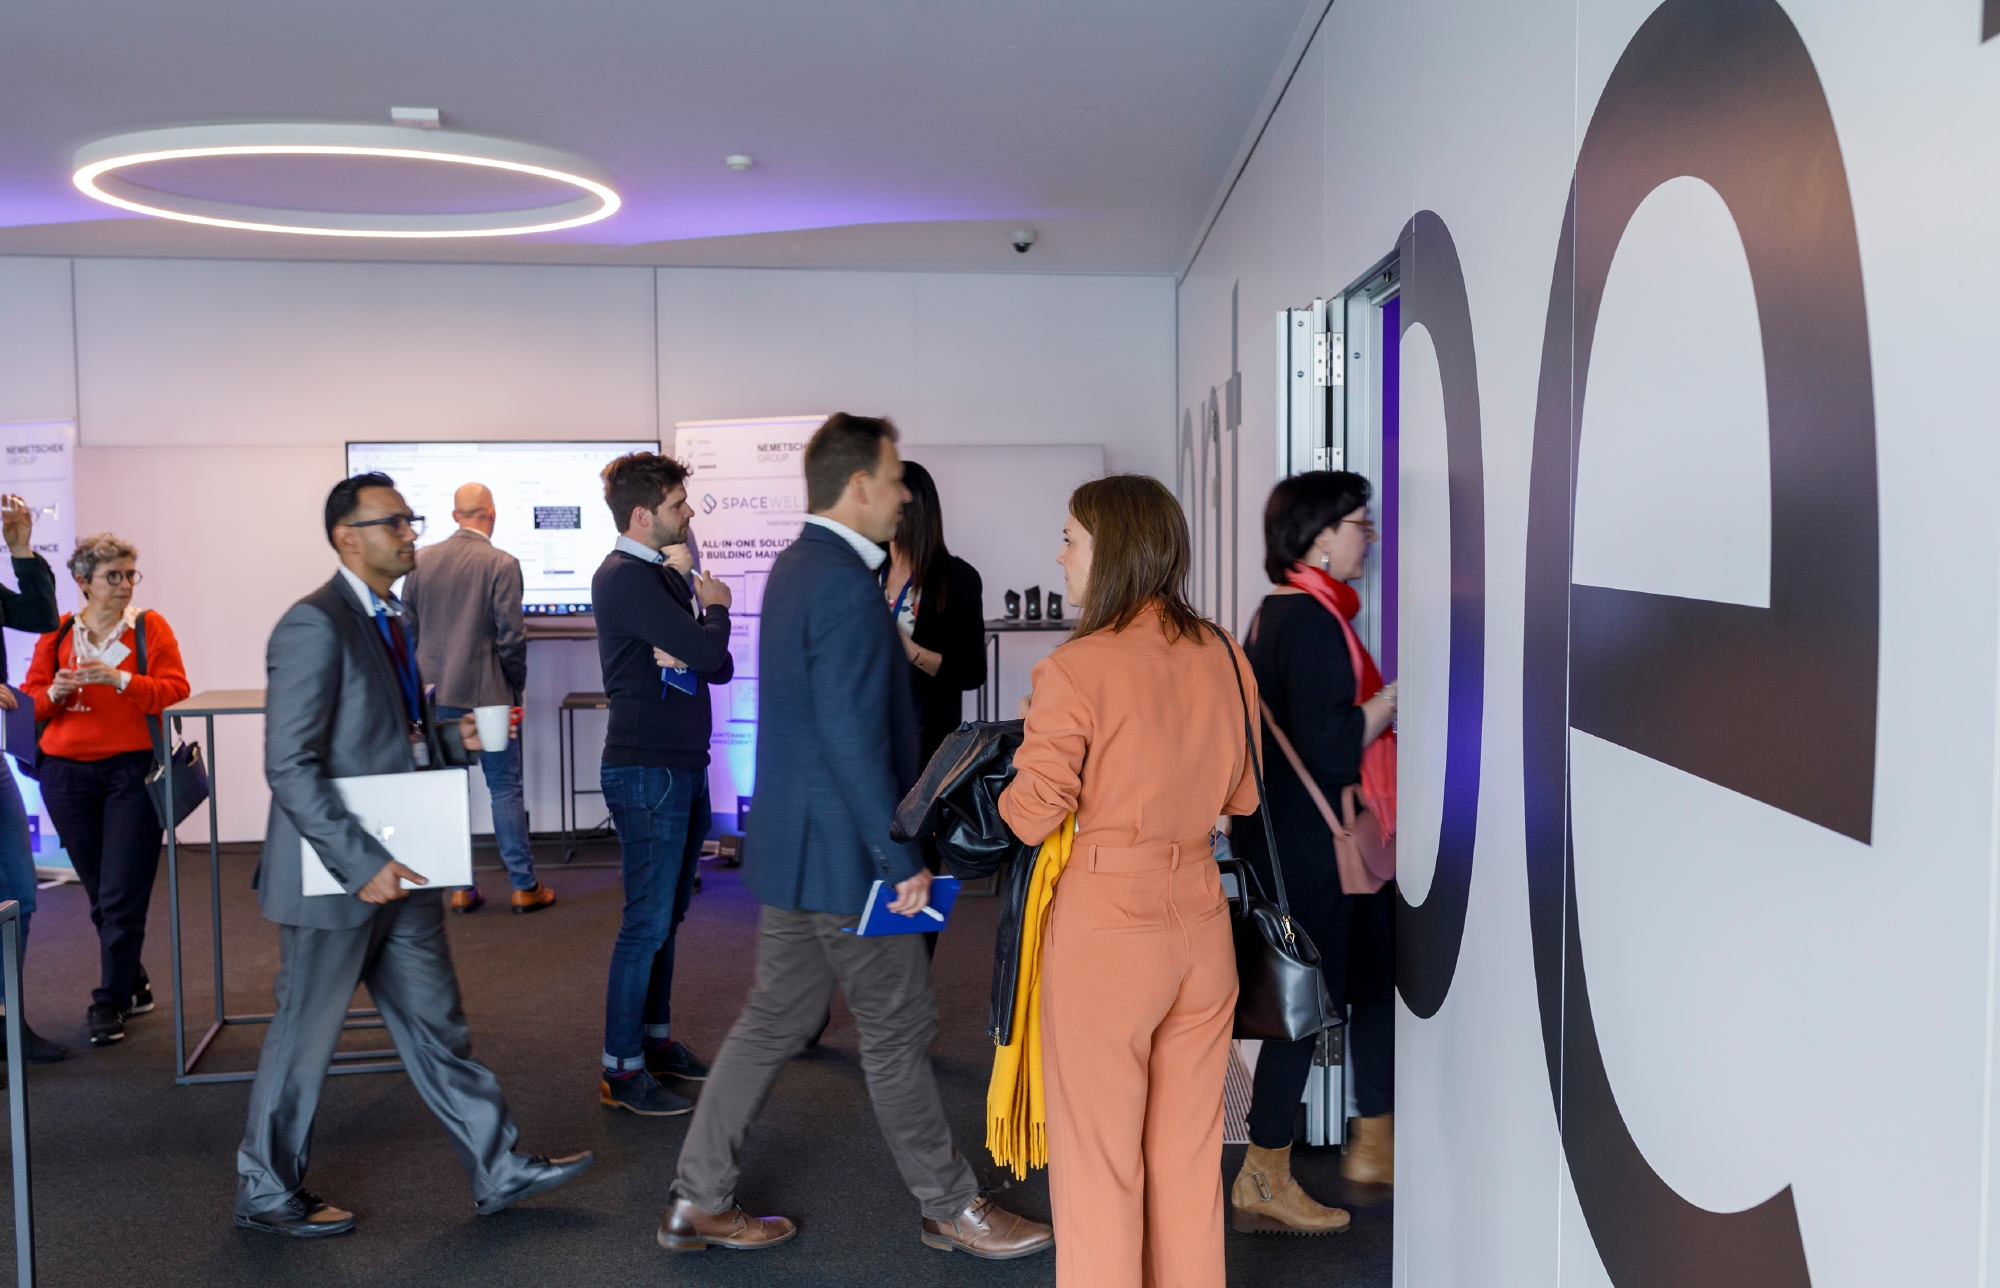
345, 699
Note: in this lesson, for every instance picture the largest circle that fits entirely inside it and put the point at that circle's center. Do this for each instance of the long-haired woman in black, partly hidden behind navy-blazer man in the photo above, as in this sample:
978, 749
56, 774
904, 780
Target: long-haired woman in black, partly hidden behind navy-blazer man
939, 605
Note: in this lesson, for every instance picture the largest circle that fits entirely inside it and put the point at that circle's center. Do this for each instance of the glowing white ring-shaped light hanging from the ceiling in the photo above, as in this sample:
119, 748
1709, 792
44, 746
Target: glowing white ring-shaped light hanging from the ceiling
99, 165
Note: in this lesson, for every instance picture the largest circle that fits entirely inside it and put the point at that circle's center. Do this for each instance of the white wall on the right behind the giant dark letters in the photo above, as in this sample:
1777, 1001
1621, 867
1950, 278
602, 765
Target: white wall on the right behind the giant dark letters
1777, 1005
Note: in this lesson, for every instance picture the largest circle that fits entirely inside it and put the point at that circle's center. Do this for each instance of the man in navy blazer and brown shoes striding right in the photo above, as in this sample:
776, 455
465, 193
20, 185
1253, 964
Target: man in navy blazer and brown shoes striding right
837, 751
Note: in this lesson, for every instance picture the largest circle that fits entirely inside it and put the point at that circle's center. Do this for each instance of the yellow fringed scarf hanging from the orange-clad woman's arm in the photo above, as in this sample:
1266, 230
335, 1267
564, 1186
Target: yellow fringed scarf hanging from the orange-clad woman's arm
1017, 1101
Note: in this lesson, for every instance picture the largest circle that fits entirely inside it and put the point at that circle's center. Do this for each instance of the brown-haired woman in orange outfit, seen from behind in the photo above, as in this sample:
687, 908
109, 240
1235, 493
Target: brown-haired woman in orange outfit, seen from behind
1135, 727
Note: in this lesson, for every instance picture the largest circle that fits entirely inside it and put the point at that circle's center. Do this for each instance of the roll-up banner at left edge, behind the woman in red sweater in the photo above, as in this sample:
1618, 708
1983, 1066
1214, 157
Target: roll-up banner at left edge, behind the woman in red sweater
39, 465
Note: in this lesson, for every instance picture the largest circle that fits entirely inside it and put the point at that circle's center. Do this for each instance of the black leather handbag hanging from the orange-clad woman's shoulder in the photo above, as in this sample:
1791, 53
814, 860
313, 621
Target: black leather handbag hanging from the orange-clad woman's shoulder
1281, 993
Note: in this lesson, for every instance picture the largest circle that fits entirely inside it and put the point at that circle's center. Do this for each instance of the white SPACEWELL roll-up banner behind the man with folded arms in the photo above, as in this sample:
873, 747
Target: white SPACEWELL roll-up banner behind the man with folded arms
747, 483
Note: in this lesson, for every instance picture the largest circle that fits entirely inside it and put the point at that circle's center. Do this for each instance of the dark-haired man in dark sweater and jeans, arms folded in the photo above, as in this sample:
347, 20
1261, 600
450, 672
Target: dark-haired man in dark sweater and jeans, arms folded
661, 645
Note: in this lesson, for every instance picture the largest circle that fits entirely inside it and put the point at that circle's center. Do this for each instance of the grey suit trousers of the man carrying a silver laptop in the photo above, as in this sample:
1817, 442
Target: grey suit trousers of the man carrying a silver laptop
407, 965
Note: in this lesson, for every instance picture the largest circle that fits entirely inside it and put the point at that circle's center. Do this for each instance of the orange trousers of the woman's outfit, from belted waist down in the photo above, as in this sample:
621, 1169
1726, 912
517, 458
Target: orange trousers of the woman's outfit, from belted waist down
1139, 993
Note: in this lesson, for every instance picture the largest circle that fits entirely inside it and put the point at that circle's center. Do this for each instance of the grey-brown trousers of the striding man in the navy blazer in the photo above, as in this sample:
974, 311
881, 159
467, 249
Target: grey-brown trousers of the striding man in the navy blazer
887, 983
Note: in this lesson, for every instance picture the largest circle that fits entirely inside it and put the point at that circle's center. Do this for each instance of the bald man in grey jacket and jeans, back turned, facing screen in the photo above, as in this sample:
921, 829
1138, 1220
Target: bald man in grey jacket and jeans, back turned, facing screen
467, 593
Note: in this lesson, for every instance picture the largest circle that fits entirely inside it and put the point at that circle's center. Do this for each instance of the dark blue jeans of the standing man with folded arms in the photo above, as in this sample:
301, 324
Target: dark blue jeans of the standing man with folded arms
663, 821
